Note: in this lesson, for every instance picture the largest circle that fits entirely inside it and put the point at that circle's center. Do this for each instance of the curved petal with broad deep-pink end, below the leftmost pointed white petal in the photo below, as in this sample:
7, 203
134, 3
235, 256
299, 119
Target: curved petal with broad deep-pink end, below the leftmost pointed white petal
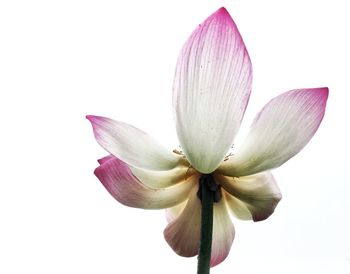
118, 179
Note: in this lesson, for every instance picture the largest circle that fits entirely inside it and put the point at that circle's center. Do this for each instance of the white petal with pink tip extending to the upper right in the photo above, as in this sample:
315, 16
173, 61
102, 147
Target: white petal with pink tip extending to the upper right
282, 128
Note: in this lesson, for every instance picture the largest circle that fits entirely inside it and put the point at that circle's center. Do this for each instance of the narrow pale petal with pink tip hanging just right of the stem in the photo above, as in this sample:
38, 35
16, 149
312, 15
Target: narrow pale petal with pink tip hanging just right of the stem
223, 234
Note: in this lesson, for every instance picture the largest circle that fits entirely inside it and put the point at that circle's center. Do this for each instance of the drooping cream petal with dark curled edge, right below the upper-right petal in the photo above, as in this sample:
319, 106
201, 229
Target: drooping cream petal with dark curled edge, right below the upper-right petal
253, 197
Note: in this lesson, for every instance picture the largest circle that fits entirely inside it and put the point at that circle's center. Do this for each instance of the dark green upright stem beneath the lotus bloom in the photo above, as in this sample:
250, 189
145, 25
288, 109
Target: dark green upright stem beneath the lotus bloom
206, 194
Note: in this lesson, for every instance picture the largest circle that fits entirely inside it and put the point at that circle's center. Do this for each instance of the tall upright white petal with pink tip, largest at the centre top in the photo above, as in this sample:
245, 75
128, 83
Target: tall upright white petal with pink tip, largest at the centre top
211, 90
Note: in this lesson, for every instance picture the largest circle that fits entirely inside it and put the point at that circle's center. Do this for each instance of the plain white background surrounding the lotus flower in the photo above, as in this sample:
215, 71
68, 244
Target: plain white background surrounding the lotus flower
61, 60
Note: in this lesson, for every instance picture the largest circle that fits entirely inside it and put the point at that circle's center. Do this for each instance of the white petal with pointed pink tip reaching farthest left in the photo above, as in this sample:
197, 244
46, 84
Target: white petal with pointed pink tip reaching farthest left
132, 145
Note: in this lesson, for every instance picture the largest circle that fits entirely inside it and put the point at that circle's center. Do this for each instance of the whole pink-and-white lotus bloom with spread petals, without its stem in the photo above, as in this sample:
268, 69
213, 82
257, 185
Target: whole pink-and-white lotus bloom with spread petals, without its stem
211, 90
